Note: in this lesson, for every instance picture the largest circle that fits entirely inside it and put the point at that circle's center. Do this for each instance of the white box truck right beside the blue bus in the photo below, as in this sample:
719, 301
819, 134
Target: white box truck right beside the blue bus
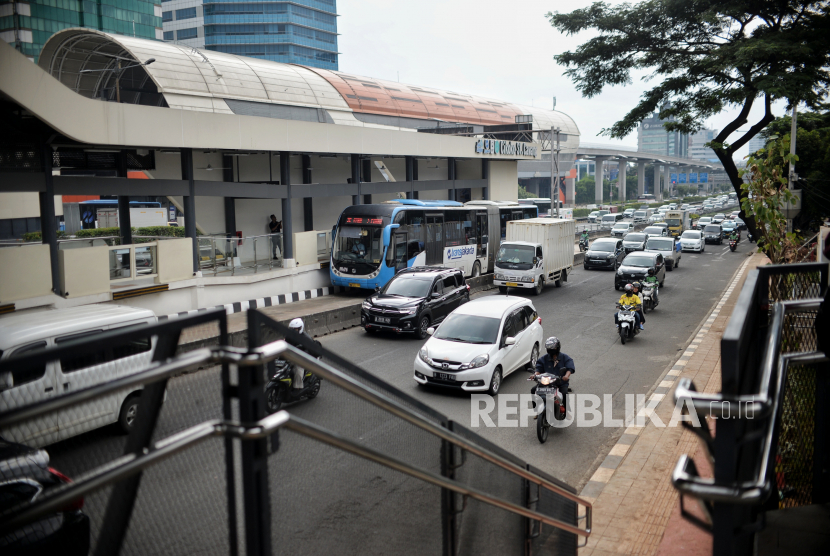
535, 252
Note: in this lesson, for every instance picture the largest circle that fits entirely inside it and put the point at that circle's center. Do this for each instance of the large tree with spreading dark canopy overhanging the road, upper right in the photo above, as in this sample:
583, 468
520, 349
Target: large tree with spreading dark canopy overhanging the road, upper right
704, 56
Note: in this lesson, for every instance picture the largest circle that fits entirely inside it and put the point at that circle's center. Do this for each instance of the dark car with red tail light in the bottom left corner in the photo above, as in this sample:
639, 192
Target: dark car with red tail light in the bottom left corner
24, 475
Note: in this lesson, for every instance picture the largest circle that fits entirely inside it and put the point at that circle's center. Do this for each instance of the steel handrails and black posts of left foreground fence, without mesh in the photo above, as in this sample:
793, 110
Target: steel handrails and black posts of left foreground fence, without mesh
141, 453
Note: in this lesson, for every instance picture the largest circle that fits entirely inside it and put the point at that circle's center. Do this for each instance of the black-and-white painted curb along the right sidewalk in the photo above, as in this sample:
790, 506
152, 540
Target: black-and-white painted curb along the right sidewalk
603, 475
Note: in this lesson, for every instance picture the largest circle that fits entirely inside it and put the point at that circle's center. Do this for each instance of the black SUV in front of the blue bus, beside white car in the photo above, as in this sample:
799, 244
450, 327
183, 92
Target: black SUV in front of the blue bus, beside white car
415, 299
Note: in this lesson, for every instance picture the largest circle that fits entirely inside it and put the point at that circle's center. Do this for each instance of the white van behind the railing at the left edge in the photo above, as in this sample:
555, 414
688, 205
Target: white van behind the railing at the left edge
33, 331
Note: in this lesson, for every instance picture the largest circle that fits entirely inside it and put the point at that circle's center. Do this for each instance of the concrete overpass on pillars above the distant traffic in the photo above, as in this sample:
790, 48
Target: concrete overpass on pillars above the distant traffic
601, 154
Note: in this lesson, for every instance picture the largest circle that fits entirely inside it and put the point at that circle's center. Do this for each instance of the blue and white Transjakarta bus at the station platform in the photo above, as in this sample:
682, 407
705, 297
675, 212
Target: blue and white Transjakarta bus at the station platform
372, 242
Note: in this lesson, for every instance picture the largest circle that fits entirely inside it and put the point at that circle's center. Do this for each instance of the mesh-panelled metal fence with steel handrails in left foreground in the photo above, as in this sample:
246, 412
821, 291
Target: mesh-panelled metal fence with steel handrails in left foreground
362, 468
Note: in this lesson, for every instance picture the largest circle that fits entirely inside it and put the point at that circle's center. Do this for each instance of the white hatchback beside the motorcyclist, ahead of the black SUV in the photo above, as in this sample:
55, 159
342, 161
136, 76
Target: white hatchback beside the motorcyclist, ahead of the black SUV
480, 343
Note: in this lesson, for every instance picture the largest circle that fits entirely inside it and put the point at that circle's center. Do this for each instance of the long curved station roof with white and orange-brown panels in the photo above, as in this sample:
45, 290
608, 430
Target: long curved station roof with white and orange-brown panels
202, 80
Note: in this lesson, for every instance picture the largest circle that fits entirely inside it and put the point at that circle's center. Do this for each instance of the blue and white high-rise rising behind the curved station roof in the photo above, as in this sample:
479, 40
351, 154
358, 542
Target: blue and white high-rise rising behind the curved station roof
301, 31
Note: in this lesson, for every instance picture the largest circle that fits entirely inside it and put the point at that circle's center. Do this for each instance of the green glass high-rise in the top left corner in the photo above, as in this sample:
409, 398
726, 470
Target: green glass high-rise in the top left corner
27, 25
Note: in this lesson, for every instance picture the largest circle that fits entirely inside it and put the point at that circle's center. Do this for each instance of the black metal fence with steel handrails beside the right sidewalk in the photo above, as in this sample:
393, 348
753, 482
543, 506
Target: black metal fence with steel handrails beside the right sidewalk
770, 450
